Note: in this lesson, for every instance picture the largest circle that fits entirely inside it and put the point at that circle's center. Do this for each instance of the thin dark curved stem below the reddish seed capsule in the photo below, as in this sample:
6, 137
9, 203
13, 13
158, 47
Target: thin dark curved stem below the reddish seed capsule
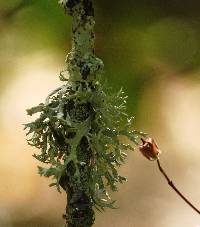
175, 189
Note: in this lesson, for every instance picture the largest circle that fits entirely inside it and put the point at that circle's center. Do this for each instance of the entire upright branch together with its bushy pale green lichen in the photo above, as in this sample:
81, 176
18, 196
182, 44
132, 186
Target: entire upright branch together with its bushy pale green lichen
80, 126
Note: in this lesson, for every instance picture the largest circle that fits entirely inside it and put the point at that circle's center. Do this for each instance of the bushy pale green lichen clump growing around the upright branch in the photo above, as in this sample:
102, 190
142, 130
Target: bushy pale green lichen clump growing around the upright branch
70, 115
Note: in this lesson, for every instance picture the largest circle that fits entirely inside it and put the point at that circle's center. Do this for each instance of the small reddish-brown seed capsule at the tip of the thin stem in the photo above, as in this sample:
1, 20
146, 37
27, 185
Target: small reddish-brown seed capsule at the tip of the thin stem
149, 149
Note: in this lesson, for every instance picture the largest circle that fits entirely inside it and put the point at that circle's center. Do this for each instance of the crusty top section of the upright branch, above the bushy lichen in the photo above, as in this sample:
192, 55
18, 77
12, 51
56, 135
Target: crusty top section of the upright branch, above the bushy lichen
82, 64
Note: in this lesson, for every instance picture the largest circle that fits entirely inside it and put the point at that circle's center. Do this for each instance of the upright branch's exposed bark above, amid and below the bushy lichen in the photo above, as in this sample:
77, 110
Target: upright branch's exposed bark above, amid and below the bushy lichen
83, 67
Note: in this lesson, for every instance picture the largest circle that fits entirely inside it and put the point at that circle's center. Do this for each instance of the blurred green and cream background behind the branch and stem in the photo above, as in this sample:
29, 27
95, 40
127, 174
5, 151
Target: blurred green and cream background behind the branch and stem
152, 50
